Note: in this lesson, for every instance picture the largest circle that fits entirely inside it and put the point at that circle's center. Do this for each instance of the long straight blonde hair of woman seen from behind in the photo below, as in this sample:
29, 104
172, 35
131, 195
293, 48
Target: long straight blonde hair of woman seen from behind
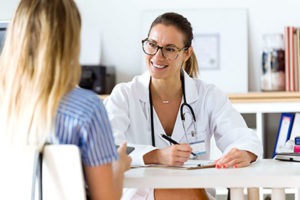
39, 64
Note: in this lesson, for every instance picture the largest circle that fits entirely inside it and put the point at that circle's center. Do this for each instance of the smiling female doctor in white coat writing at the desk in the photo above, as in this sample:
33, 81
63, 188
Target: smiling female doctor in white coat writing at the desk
169, 100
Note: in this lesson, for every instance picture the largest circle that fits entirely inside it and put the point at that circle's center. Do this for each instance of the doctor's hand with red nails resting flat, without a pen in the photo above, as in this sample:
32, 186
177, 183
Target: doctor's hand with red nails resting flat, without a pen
236, 158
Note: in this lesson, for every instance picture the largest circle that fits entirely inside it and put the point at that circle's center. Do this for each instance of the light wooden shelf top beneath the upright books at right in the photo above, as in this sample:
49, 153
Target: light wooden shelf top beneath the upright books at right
257, 97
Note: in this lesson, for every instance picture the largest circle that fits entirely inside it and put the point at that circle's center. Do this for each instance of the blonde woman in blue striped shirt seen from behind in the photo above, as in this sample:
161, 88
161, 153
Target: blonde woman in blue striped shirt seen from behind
40, 101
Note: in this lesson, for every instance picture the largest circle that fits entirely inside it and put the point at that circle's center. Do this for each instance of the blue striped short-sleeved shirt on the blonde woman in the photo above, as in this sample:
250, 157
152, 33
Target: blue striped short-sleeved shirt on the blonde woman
82, 120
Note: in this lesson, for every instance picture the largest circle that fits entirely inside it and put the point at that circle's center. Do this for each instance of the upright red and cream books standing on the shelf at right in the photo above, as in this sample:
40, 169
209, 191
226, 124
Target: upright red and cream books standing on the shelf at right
292, 58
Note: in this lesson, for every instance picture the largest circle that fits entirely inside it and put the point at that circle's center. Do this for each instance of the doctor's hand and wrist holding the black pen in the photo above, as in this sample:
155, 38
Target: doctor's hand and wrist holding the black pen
175, 155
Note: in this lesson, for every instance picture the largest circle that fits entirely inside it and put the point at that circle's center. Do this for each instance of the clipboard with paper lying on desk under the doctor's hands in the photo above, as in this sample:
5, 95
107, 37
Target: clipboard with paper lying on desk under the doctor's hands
190, 164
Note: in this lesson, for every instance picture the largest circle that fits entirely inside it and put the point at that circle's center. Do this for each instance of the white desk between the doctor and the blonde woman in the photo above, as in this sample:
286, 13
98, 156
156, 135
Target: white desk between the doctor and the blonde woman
263, 173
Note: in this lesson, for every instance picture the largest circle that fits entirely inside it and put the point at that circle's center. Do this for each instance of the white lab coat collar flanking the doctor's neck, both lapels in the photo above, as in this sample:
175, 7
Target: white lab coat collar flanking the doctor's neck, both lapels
191, 91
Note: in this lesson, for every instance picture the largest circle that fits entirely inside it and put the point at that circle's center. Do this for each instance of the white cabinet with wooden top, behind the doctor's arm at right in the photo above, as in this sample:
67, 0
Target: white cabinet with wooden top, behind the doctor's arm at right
264, 109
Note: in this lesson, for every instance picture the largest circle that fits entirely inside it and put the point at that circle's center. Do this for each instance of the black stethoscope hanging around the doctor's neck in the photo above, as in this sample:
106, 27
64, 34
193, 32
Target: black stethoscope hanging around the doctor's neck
183, 105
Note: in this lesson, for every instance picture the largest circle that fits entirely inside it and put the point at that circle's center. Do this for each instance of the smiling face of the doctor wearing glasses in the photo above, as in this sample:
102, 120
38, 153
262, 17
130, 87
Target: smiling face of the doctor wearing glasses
159, 66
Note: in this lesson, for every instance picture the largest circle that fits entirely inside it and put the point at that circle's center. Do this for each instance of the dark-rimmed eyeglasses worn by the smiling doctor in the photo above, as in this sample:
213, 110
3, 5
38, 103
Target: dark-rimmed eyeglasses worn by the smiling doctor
168, 52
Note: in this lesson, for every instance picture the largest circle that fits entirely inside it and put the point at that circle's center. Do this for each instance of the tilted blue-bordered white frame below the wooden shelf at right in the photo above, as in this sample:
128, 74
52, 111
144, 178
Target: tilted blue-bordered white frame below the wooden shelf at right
283, 132
